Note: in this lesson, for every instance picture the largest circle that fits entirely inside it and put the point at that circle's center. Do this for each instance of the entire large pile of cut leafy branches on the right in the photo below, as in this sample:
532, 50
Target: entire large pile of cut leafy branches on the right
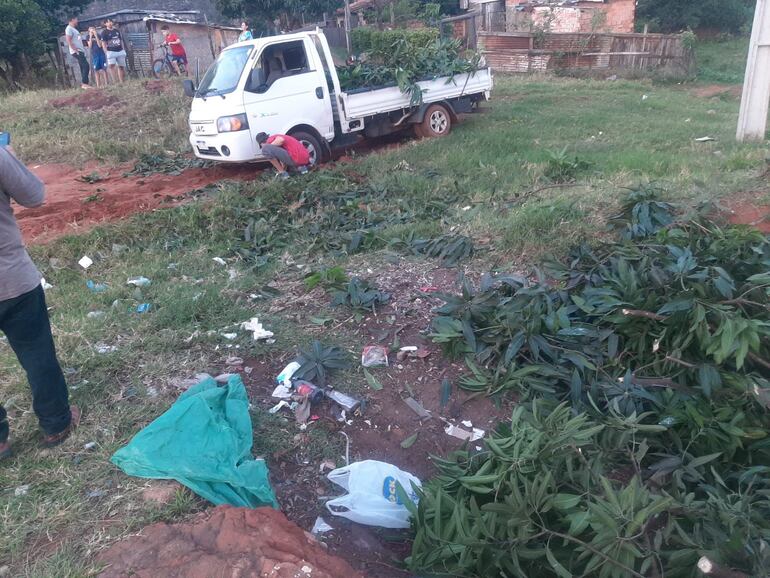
641, 443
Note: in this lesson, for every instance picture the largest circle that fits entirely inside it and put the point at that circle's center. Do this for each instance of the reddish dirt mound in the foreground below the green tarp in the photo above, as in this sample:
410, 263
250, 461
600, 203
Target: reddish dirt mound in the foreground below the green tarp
224, 542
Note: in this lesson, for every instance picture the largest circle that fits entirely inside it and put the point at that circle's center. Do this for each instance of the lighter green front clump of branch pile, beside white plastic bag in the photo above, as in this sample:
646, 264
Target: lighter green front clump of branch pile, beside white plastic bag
558, 494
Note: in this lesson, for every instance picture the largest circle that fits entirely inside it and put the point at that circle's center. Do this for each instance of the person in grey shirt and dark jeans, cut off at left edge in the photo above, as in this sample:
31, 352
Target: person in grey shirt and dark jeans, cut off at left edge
24, 315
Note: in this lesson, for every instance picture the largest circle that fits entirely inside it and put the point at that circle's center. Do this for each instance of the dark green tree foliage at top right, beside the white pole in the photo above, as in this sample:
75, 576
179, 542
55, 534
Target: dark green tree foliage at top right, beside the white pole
676, 15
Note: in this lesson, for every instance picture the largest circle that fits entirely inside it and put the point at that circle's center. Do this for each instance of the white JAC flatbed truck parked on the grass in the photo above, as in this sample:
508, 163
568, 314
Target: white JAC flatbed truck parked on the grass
288, 85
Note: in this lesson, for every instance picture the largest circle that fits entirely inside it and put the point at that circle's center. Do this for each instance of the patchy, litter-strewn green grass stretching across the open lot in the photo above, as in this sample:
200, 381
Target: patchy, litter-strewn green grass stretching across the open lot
485, 180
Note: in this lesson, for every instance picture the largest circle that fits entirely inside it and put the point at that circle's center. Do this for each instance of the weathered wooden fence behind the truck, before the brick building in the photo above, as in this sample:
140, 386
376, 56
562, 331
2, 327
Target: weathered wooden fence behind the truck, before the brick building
668, 55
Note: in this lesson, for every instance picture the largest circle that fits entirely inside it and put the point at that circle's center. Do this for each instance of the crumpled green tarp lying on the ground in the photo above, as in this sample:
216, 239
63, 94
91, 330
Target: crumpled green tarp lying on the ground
204, 442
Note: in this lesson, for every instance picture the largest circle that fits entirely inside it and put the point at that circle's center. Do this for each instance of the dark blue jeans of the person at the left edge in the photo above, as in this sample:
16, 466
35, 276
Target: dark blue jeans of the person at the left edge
24, 320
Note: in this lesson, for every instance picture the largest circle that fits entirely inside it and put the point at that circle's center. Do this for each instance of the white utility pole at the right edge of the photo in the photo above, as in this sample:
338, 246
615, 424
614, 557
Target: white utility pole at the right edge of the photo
752, 122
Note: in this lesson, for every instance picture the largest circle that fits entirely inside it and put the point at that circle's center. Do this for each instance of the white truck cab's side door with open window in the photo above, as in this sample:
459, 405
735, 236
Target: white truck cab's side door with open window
286, 88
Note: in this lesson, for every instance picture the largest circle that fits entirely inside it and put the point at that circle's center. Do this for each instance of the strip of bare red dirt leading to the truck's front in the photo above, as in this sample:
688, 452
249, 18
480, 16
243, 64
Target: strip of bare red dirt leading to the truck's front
79, 199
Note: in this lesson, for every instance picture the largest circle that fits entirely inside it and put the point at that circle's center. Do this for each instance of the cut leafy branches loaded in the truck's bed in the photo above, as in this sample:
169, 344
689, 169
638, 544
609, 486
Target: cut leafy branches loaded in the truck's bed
404, 57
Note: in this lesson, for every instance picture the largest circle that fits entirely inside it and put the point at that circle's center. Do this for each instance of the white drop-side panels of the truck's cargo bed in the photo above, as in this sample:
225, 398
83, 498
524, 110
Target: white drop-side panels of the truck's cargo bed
367, 103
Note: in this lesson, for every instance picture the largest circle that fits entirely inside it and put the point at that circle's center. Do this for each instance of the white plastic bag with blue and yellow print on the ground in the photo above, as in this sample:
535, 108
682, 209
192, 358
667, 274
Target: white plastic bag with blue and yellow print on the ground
371, 497
